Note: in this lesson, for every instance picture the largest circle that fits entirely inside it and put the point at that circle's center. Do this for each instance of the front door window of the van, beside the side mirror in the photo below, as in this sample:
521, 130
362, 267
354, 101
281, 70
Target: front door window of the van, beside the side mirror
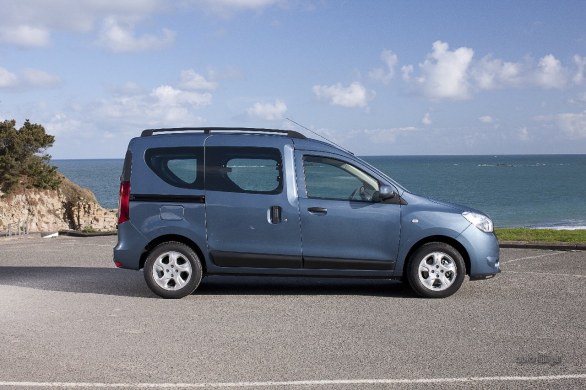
328, 178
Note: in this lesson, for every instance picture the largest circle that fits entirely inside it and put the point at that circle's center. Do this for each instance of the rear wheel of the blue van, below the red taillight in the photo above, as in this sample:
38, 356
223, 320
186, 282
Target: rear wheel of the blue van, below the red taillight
172, 270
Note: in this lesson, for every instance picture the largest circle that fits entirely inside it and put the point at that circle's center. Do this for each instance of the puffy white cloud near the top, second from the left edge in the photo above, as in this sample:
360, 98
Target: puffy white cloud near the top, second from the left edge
120, 37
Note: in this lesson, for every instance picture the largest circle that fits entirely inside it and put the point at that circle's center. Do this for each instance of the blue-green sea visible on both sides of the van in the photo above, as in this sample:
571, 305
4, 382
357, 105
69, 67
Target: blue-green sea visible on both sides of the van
535, 191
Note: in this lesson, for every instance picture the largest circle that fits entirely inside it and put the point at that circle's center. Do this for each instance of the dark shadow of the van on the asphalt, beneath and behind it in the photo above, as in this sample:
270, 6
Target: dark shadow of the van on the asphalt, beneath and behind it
129, 283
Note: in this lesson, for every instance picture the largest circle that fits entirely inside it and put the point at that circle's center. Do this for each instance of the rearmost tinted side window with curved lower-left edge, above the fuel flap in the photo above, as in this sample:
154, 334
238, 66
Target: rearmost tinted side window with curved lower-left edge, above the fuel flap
180, 167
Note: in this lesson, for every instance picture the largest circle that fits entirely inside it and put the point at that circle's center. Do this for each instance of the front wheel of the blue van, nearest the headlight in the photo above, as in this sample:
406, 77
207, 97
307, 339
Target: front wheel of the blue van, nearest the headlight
436, 270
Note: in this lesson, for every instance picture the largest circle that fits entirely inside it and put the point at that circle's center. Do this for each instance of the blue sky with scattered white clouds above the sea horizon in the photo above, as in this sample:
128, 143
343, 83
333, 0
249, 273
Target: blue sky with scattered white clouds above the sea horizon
382, 77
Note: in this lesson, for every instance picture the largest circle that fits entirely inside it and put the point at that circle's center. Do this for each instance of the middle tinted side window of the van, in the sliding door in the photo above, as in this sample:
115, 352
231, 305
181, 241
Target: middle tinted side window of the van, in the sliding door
244, 169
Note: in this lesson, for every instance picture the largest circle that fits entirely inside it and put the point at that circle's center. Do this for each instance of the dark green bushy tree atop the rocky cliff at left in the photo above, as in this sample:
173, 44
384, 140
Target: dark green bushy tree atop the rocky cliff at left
23, 159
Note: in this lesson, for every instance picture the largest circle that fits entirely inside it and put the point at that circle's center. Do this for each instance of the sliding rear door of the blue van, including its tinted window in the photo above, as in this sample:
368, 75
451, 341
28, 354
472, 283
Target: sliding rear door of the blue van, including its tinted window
252, 212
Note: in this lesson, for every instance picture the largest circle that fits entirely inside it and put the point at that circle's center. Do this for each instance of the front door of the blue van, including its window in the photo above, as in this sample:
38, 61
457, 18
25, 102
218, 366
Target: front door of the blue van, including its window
343, 225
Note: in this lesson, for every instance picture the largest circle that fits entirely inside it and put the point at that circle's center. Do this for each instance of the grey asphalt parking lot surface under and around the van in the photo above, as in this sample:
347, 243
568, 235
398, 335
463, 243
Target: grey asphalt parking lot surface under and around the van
70, 319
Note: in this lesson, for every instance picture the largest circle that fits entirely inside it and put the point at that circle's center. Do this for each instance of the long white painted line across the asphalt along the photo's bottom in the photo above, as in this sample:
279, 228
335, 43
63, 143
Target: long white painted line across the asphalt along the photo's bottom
292, 383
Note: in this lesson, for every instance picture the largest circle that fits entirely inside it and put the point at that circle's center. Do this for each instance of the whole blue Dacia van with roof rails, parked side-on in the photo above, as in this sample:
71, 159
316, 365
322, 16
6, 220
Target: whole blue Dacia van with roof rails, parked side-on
237, 201
